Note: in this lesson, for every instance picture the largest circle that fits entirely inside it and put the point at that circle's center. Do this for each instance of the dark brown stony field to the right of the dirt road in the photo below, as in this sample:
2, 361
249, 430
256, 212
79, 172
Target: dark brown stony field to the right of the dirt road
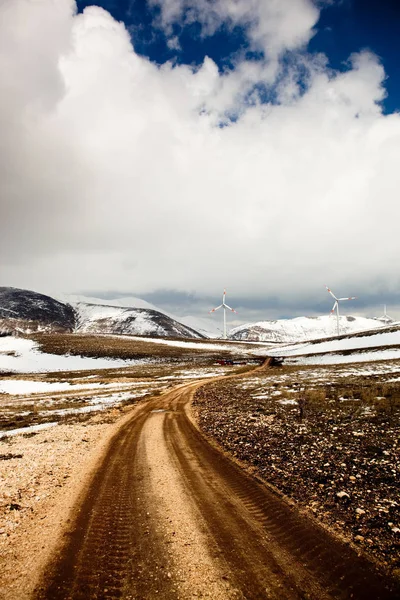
324, 437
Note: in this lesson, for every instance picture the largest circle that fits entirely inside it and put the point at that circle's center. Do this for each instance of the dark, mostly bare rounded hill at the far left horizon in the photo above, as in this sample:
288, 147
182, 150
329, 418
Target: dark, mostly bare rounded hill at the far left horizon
27, 311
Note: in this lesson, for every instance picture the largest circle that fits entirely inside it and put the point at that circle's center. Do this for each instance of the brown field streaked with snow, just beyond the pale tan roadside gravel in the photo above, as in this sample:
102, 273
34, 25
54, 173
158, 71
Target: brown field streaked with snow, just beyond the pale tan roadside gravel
36, 401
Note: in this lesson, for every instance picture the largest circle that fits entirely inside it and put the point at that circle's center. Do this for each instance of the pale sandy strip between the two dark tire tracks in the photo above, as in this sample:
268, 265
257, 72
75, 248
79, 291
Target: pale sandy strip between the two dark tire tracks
181, 527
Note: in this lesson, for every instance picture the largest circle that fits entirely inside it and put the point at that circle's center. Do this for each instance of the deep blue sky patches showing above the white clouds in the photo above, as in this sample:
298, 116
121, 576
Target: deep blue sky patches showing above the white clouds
344, 27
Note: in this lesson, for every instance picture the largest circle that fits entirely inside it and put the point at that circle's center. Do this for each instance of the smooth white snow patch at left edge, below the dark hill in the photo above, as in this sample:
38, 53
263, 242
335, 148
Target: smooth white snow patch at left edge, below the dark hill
19, 355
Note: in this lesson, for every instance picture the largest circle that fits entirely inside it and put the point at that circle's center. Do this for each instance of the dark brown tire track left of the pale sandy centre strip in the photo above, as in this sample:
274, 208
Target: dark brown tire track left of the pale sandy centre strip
109, 552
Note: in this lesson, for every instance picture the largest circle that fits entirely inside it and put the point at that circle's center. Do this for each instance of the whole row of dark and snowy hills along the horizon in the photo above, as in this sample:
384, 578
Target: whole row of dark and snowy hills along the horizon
28, 311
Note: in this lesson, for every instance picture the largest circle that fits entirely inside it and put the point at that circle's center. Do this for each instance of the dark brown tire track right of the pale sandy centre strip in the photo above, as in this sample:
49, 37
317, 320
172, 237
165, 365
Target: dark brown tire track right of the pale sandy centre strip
254, 526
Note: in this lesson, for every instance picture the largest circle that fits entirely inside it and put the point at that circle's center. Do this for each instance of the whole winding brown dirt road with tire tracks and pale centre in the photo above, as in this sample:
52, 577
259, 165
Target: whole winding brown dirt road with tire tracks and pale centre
169, 516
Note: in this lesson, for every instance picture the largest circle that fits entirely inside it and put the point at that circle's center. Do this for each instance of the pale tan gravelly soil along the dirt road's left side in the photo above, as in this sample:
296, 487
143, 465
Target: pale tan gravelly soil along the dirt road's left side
40, 482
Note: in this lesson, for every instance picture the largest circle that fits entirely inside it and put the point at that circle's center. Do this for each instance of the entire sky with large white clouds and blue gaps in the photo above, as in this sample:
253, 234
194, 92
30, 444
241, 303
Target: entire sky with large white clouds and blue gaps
168, 149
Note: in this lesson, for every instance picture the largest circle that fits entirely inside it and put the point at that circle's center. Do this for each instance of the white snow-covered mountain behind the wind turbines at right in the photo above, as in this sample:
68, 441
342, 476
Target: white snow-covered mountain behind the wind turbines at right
300, 329
